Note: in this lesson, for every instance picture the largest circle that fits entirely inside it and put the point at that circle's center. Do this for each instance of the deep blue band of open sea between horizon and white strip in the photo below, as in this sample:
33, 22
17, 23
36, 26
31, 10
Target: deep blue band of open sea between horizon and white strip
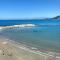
31, 21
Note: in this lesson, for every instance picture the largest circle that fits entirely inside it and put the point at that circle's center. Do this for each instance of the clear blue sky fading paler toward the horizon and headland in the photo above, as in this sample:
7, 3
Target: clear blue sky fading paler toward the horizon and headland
11, 9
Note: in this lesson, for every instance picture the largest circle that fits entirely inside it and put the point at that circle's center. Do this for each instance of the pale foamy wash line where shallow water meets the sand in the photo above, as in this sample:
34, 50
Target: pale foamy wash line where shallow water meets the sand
32, 50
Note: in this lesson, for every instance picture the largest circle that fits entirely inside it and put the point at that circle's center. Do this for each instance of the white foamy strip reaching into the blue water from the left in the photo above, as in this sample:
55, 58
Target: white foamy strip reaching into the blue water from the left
18, 26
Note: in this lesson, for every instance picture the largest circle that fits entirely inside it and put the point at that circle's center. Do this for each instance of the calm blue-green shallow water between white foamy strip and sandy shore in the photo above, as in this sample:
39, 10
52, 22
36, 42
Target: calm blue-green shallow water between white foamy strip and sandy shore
45, 37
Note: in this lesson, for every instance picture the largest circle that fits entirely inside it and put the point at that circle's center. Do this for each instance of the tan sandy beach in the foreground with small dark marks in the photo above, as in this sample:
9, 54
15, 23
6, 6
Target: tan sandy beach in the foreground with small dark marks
10, 51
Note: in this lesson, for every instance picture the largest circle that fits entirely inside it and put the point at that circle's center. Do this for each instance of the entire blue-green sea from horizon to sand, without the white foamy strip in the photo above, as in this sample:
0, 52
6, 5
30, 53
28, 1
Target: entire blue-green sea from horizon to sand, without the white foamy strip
45, 36
